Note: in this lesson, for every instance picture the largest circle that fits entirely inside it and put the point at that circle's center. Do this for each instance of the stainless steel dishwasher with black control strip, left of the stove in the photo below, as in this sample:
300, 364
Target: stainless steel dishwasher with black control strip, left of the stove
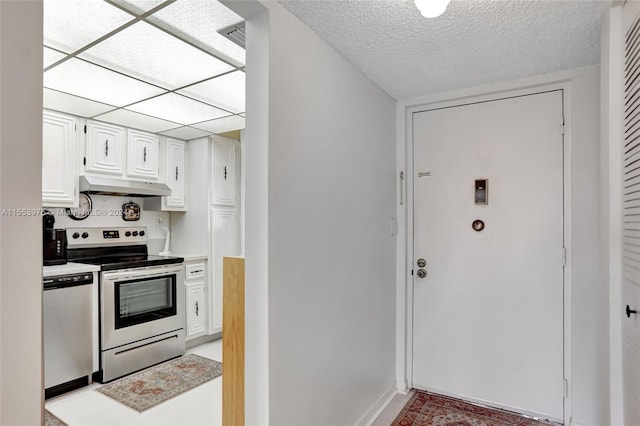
68, 336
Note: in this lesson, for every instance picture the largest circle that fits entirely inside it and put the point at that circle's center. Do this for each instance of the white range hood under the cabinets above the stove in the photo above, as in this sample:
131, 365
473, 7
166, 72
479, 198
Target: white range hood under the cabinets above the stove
109, 186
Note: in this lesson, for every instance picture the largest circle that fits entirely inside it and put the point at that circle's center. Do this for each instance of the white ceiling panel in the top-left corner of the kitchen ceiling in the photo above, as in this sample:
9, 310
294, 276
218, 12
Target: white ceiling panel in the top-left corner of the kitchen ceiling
72, 24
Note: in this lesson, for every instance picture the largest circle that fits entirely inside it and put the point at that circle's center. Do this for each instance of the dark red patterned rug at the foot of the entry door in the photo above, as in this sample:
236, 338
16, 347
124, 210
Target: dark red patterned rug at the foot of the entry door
425, 409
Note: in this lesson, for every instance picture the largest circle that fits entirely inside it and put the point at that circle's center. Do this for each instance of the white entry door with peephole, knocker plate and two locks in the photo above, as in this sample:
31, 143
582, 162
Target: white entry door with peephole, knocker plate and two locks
488, 316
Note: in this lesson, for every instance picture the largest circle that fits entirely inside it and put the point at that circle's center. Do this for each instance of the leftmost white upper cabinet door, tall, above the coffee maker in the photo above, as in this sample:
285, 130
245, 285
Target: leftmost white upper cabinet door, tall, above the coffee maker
59, 167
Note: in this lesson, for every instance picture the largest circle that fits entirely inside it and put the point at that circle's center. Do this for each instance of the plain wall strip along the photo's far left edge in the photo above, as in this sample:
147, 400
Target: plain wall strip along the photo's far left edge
21, 384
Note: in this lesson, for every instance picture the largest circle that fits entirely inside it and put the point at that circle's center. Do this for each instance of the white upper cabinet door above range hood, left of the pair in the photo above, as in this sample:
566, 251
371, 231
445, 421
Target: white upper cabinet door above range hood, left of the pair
105, 149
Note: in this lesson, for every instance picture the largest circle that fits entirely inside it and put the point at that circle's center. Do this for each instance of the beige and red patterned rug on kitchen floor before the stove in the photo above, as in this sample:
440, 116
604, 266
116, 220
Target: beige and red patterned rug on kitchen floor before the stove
154, 385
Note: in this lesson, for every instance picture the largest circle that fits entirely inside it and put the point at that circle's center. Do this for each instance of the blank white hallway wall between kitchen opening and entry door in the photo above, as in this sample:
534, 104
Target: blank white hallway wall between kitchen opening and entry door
331, 257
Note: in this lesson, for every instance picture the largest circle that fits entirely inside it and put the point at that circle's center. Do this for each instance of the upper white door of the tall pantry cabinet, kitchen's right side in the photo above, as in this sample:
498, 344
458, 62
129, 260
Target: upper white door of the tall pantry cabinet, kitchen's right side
224, 173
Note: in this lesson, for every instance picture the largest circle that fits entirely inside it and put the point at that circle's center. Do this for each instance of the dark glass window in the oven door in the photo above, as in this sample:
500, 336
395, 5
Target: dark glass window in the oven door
146, 299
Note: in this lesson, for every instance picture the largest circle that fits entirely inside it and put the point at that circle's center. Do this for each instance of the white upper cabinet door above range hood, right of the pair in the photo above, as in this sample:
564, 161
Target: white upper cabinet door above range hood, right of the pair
142, 155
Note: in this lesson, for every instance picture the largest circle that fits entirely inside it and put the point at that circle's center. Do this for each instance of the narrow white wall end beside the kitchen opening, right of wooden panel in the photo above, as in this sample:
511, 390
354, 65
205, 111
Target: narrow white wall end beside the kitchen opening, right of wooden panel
256, 190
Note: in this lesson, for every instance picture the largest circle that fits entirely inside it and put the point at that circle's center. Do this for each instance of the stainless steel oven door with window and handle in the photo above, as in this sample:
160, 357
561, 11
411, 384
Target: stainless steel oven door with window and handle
140, 303
